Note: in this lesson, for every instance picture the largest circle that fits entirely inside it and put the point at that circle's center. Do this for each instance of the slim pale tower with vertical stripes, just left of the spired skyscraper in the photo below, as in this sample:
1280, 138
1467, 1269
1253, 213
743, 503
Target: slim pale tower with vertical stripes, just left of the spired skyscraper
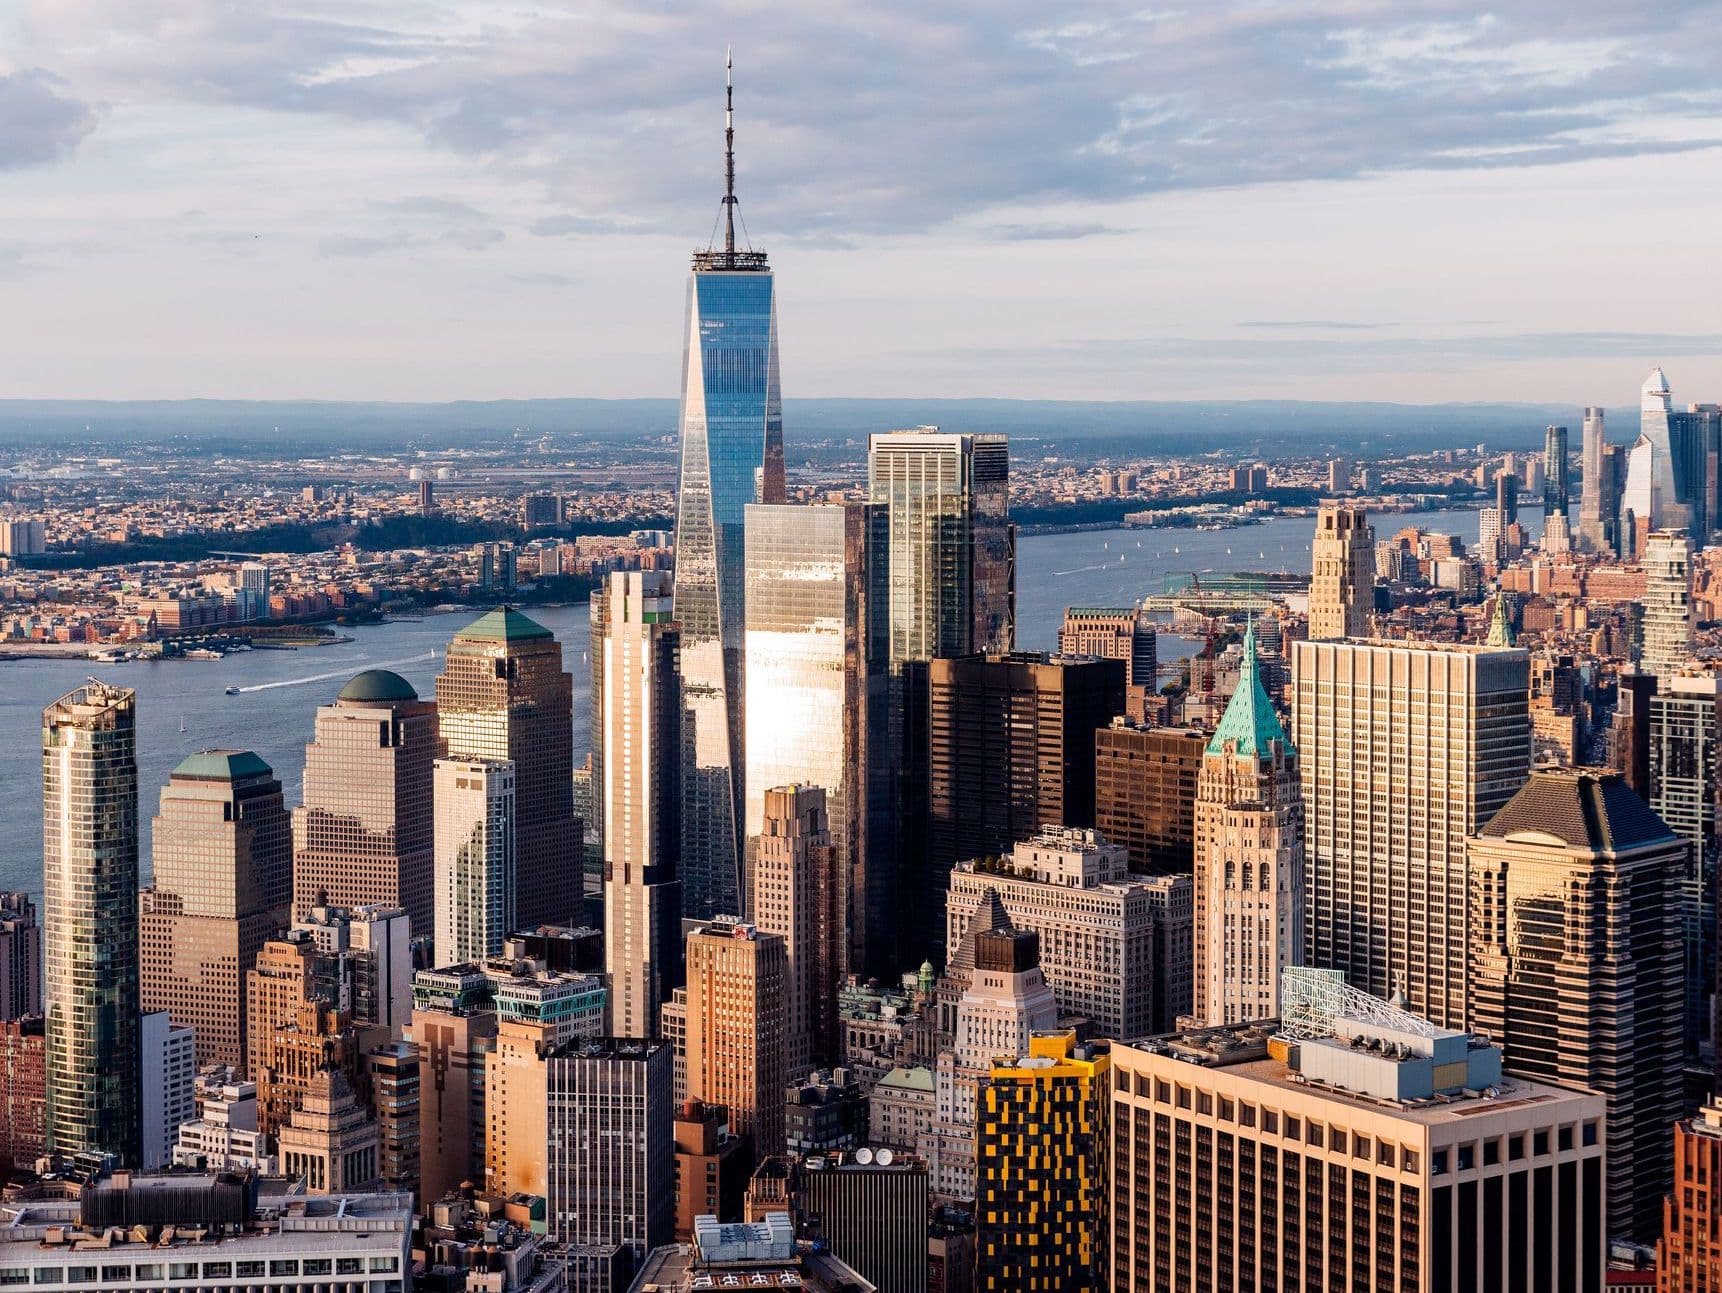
641, 795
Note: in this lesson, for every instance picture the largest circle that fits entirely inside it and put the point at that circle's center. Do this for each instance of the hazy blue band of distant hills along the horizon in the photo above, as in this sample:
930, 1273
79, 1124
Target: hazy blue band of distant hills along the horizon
1270, 426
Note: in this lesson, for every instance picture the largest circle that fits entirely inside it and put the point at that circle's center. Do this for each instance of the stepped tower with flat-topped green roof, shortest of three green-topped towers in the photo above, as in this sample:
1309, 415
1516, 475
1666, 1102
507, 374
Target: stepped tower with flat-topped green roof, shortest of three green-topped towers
223, 886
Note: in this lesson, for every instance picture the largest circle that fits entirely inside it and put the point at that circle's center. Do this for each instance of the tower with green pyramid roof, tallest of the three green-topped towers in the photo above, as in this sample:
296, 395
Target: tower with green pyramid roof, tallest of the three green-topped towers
504, 695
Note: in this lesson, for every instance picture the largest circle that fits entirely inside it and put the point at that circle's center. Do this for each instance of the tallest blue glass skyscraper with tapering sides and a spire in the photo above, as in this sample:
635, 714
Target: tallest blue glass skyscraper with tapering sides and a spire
733, 455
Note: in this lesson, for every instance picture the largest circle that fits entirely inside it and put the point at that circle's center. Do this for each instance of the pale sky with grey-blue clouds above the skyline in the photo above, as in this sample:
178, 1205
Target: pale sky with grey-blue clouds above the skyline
431, 201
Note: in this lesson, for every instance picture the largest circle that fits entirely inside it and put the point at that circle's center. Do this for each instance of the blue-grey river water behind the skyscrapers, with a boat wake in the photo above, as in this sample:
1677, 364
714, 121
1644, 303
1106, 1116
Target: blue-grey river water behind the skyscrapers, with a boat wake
280, 691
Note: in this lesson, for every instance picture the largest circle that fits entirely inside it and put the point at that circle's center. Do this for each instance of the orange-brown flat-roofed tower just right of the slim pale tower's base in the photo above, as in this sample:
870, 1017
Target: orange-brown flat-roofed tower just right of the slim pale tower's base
736, 1029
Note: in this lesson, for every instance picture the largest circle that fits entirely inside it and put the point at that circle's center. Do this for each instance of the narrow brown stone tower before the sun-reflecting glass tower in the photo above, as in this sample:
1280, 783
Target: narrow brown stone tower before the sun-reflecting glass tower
800, 889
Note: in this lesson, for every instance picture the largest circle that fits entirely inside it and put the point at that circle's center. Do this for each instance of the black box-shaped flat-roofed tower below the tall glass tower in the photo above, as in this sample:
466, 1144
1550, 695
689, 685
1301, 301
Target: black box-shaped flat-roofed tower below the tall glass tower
1012, 750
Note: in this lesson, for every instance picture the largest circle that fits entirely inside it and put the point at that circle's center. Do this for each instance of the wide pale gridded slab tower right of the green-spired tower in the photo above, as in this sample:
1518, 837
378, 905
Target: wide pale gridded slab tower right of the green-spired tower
1406, 752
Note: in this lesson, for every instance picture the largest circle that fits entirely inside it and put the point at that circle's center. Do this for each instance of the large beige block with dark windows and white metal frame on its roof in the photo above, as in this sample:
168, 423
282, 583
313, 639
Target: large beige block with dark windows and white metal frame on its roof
1354, 1146
